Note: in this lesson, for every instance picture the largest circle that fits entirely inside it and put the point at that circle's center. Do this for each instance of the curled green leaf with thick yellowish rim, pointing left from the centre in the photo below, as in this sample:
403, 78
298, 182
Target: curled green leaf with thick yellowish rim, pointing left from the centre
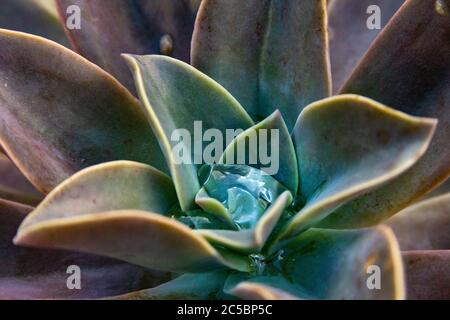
116, 200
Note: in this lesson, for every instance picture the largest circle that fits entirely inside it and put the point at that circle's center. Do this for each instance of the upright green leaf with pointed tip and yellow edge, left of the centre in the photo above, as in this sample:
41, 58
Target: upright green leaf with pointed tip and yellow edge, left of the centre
182, 103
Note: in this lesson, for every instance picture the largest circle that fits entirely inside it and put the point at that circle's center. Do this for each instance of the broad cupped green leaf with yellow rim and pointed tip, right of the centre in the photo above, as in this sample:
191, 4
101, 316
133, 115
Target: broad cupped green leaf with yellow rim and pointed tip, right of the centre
347, 146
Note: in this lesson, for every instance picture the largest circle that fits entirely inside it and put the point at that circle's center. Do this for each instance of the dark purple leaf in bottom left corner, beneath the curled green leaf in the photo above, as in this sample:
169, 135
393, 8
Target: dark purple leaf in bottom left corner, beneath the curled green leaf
42, 274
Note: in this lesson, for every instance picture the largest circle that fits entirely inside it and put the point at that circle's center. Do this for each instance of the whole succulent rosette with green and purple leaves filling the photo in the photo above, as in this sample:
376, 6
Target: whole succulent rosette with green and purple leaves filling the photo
223, 230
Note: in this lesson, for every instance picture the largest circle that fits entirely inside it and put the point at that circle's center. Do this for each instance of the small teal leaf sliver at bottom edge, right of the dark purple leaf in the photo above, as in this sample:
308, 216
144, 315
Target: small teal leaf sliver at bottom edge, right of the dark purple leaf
204, 286
